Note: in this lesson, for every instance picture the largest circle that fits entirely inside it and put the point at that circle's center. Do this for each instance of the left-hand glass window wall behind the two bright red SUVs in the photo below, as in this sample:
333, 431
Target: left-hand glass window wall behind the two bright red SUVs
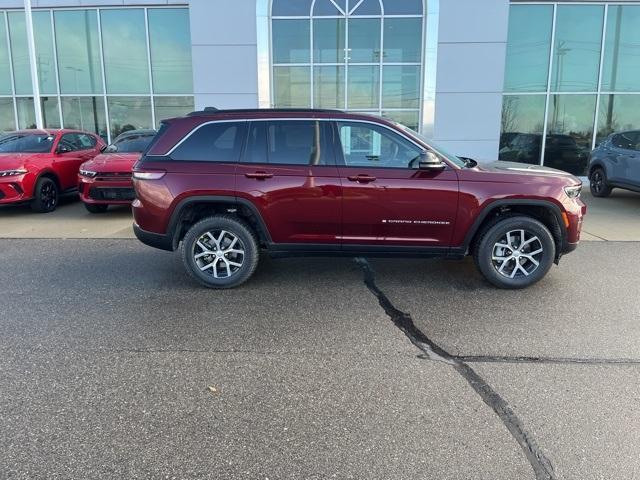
103, 70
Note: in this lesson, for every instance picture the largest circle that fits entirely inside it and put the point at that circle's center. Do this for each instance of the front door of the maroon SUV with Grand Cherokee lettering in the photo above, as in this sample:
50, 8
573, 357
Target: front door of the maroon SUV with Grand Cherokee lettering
387, 200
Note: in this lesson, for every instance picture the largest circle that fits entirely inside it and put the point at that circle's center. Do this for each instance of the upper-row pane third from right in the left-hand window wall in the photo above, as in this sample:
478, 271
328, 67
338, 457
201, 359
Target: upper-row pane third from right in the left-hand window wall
78, 51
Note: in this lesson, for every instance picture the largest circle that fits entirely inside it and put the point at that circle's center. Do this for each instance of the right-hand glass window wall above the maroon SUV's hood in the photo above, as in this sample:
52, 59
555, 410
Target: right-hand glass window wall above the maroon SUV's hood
572, 78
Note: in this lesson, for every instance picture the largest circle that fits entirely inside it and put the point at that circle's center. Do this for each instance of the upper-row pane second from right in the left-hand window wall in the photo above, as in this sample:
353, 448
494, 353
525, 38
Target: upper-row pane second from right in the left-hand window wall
125, 51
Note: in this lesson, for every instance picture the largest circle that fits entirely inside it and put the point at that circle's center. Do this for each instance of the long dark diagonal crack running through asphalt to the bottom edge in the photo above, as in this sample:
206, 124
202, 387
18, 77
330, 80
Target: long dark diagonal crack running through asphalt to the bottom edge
542, 467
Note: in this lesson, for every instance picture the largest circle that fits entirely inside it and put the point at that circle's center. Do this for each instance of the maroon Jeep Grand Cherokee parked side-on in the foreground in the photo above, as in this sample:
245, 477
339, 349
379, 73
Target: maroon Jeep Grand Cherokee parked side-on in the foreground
224, 184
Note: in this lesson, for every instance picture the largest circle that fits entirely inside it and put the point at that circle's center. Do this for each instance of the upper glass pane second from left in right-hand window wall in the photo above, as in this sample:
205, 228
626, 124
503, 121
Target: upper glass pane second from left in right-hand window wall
576, 53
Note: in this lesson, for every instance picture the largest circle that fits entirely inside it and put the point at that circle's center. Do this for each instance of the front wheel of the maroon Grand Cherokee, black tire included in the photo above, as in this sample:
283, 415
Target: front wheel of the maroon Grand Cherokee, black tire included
496, 232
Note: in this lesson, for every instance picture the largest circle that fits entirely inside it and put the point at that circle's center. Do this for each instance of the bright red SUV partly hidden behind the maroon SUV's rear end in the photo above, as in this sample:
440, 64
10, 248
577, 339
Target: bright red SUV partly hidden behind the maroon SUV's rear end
106, 179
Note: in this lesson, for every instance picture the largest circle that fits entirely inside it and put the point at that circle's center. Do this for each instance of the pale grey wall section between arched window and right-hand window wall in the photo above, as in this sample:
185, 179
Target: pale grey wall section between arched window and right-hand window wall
470, 74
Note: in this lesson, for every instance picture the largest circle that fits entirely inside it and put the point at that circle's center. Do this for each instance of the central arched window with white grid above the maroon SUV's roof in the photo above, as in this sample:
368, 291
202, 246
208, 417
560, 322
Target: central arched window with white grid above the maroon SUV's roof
357, 55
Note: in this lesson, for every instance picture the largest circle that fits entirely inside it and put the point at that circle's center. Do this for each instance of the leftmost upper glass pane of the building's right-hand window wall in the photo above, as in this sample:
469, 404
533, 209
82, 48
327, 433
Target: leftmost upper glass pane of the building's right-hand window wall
528, 46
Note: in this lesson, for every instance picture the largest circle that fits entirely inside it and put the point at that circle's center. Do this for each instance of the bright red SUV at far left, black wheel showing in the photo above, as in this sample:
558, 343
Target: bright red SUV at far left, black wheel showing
39, 165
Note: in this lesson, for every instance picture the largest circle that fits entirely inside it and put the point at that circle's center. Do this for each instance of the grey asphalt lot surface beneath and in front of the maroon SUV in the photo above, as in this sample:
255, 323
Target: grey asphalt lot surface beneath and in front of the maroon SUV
114, 364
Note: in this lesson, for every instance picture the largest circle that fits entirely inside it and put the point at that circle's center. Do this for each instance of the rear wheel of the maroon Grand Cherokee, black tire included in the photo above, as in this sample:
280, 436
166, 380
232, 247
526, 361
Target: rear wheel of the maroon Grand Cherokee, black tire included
230, 276
